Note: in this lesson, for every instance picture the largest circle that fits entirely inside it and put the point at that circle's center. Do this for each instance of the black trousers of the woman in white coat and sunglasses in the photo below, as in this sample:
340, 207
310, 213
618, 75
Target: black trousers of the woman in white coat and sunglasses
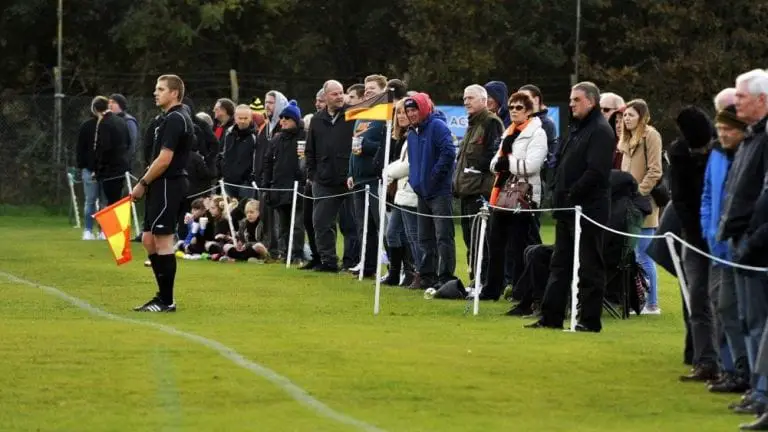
508, 233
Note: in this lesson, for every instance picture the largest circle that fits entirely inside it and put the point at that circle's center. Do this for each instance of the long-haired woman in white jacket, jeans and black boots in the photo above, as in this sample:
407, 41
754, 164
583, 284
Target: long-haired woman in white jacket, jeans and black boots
402, 230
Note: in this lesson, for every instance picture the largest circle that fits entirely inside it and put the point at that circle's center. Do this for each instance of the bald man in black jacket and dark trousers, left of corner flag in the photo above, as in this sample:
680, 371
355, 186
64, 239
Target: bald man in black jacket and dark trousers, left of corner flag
329, 145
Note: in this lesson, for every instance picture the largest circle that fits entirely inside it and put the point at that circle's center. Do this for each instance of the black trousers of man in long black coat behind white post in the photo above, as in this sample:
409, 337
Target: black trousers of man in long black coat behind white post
591, 275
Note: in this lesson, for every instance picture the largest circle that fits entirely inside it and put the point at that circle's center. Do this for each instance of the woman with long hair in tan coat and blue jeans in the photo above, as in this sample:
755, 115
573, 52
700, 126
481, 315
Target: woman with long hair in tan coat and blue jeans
640, 145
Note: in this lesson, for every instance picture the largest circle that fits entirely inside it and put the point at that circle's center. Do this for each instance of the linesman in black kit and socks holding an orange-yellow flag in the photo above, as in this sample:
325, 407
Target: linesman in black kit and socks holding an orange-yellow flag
165, 185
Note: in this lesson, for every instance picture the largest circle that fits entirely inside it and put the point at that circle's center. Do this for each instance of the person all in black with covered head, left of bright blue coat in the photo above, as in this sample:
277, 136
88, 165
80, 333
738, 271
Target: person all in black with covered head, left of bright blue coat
688, 157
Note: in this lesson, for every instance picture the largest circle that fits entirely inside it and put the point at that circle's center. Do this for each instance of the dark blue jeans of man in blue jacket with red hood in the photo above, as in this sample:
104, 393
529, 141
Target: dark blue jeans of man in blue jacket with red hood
437, 237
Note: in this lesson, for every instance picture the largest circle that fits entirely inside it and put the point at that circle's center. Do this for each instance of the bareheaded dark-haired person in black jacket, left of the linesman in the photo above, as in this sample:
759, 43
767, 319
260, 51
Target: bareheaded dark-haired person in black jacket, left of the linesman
112, 151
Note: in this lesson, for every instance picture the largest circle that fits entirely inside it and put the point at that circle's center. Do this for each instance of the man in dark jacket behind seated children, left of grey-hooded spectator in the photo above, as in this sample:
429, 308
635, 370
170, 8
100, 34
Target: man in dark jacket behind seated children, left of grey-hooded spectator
237, 154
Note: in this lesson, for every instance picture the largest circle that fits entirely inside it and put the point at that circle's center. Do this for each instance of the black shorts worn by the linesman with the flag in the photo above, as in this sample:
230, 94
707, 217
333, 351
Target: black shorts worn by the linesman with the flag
163, 204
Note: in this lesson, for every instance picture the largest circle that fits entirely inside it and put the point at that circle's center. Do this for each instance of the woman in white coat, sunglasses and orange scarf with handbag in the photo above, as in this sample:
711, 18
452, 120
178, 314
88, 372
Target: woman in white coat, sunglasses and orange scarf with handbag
520, 158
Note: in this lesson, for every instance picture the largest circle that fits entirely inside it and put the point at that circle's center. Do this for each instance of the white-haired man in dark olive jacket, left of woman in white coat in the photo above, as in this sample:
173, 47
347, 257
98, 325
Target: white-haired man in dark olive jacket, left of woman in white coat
473, 179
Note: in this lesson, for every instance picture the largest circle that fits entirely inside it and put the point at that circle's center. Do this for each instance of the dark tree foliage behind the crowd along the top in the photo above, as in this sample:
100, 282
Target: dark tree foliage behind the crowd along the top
670, 52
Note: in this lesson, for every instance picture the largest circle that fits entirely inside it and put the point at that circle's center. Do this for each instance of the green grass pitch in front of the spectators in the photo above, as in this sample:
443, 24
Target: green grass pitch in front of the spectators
419, 366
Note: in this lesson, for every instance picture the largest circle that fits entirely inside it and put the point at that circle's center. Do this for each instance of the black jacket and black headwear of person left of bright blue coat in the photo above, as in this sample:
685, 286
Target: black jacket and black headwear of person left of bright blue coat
686, 171
